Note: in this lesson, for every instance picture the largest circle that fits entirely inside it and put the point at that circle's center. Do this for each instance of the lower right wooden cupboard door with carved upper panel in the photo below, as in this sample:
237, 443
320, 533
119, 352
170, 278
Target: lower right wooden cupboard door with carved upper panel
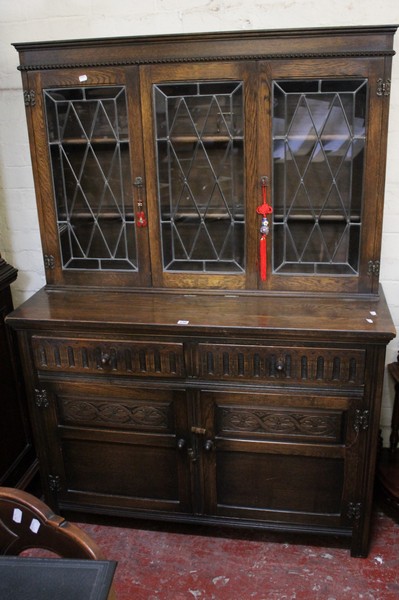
295, 452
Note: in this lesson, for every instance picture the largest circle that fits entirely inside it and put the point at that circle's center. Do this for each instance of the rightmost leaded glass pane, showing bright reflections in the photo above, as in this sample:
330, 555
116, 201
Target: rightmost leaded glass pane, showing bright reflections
319, 138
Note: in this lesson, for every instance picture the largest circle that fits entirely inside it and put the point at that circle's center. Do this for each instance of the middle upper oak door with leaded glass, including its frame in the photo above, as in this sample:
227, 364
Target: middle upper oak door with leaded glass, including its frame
200, 162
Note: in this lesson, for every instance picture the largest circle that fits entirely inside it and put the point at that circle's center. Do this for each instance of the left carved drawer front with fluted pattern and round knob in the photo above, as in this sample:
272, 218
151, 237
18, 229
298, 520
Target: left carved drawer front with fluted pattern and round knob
118, 357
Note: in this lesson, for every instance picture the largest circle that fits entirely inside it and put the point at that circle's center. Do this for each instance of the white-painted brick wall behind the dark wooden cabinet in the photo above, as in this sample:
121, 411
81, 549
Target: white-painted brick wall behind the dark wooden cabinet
40, 19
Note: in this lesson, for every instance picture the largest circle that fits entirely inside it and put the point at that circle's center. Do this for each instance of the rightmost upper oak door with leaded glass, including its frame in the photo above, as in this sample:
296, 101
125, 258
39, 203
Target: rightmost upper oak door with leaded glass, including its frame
326, 191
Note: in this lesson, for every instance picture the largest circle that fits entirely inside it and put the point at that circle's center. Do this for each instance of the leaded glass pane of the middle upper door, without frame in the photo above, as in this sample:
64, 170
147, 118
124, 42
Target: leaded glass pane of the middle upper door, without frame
200, 158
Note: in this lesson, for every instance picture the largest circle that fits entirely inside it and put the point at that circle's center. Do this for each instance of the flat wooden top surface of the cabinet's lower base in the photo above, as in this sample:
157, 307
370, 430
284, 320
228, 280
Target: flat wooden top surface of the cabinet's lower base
190, 314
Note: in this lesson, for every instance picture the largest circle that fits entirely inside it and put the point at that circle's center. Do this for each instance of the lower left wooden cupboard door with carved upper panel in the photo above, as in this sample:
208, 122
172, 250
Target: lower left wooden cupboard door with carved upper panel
117, 448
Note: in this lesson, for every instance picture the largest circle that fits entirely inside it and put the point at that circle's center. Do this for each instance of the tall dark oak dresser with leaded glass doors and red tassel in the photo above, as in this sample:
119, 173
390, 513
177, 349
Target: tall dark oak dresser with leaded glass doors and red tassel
210, 344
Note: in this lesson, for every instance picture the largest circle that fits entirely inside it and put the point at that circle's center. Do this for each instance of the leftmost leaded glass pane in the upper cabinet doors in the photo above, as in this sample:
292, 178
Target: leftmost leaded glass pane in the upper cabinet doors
89, 149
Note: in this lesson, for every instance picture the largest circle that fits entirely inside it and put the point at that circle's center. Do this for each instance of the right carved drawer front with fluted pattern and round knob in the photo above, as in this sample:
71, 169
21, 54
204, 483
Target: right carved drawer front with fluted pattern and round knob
283, 364
